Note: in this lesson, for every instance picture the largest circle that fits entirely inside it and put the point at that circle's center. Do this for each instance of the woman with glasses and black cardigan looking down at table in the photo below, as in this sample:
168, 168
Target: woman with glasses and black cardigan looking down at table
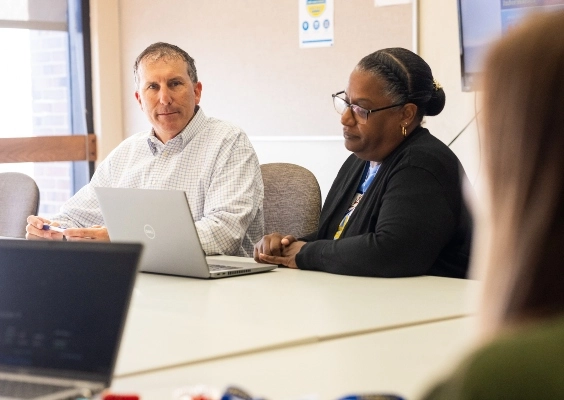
395, 208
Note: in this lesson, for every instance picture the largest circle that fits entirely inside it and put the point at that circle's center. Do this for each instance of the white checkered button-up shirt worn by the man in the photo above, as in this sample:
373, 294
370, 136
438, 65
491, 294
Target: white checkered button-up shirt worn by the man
211, 160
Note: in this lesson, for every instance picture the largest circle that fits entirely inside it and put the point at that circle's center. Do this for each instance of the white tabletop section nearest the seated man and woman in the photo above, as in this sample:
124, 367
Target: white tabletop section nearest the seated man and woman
175, 321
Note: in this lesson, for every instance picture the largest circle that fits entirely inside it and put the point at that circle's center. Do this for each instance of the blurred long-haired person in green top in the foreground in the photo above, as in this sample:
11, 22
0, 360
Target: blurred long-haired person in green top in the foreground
519, 250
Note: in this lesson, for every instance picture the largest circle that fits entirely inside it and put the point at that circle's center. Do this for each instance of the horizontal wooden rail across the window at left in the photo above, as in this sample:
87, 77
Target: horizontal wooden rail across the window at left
48, 149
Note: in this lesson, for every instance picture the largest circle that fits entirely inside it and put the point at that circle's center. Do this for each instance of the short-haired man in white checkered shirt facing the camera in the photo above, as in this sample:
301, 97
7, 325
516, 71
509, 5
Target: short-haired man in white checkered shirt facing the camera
211, 160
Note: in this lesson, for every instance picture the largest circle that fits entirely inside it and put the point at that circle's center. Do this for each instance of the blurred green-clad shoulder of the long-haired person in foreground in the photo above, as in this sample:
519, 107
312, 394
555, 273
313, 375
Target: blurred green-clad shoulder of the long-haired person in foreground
525, 364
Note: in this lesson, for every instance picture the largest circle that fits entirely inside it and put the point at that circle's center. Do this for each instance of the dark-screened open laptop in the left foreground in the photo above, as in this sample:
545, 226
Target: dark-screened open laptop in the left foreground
62, 311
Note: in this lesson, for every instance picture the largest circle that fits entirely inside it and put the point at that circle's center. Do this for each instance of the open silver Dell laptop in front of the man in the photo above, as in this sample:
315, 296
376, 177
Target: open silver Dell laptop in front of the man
162, 221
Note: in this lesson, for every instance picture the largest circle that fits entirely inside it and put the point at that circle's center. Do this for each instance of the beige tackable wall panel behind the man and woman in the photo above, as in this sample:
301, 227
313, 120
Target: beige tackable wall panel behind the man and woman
252, 70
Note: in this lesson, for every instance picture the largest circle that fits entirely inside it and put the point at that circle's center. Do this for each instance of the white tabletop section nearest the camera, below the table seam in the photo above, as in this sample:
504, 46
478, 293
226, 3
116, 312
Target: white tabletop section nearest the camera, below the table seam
403, 361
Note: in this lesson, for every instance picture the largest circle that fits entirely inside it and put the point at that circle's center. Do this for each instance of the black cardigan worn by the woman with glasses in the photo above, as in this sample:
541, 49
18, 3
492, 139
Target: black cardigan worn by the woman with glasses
411, 221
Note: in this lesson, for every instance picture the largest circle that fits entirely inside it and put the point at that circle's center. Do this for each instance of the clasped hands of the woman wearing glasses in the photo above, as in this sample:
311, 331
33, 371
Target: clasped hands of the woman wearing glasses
278, 249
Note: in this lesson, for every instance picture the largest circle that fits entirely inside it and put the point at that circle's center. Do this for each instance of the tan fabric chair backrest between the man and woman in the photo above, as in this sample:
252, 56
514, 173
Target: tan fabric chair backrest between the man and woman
292, 199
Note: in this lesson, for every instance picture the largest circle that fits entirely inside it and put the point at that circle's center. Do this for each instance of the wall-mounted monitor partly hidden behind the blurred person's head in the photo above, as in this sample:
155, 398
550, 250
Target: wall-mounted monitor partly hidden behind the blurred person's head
481, 22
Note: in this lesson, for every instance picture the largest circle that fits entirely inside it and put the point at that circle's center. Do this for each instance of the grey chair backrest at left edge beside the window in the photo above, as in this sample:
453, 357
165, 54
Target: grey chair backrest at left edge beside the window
19, 198
